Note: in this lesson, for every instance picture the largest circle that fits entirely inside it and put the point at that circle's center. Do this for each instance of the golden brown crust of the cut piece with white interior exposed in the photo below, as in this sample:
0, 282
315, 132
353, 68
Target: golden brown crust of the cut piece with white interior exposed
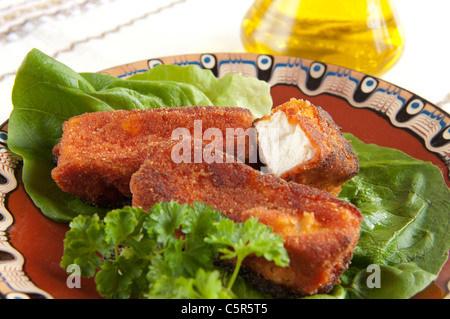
334, 162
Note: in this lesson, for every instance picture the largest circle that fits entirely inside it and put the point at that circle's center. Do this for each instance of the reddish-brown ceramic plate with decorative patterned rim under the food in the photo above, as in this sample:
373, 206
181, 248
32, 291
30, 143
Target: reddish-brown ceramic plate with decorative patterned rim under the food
373, 110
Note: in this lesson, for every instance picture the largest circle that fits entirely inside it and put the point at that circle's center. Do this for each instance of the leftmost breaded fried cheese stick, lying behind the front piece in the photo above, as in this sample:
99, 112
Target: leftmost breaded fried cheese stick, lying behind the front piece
99, 151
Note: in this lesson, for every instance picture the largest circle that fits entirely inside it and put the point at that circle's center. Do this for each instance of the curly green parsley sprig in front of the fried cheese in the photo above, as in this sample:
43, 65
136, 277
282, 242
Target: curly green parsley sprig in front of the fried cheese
168, 252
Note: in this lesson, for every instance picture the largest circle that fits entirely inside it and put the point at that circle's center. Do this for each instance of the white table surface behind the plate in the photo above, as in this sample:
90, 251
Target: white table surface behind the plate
92, 35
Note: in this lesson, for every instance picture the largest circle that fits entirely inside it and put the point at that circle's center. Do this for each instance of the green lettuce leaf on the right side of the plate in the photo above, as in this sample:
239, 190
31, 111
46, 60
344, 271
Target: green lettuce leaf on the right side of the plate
406, 229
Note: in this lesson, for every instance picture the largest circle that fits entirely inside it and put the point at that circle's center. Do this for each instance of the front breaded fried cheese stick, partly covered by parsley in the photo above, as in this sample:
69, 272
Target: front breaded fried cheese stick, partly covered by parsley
320, 230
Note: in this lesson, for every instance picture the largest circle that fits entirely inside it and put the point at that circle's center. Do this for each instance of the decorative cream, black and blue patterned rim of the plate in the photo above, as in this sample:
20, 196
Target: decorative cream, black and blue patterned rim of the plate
403, 109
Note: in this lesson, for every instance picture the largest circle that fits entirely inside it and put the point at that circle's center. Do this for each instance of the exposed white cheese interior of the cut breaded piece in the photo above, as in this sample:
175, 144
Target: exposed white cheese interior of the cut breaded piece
282, 145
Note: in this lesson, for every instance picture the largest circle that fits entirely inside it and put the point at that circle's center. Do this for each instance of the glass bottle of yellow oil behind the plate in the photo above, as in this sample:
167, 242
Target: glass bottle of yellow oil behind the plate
364, 35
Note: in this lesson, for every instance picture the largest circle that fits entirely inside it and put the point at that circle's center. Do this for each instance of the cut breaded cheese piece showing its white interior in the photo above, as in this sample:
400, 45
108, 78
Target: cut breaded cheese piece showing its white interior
301, 142
